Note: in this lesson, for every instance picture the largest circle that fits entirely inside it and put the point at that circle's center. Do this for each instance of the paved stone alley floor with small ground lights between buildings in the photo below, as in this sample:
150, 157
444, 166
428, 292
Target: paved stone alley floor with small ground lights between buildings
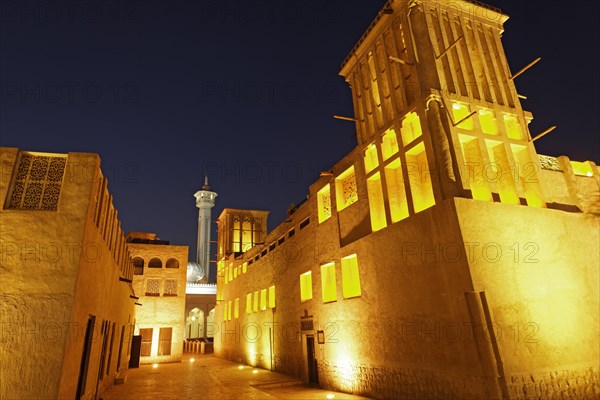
209, 377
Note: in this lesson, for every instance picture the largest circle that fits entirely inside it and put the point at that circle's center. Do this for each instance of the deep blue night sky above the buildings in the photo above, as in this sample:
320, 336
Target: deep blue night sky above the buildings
244, 90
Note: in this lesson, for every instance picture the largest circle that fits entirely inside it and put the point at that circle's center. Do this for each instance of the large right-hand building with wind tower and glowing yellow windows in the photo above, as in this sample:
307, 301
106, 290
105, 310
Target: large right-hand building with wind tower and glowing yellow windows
442, 257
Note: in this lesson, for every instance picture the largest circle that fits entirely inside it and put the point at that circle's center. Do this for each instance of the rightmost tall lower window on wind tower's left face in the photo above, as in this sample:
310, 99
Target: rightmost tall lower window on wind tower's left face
419, 178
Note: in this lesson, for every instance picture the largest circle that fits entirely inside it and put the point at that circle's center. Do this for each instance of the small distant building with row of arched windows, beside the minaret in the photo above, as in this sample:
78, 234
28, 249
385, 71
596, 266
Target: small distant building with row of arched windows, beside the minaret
160, 281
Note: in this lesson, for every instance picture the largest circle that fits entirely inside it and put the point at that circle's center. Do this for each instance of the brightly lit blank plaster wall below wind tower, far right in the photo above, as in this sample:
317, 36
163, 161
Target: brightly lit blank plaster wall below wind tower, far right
540, 271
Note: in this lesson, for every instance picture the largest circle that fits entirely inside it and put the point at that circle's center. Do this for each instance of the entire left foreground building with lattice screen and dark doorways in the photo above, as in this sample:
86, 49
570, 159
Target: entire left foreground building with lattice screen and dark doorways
66, 300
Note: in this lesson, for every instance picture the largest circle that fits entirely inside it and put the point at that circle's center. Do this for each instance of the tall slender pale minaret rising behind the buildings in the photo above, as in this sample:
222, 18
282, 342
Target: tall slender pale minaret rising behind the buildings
205, 200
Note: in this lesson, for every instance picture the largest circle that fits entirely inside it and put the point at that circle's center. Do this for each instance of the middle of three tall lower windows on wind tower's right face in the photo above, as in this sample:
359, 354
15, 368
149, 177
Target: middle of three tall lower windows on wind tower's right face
499, 172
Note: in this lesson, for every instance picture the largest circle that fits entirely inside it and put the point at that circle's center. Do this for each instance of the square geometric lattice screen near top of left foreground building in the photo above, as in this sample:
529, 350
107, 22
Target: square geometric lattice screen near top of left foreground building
37, 183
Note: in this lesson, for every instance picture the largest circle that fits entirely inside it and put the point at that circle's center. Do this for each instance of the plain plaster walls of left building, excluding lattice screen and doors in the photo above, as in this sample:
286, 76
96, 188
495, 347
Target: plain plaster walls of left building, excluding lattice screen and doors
46, 255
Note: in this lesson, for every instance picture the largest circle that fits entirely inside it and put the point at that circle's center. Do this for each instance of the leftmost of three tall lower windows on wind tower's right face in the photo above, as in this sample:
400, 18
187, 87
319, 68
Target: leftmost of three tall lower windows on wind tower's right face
474, 168
